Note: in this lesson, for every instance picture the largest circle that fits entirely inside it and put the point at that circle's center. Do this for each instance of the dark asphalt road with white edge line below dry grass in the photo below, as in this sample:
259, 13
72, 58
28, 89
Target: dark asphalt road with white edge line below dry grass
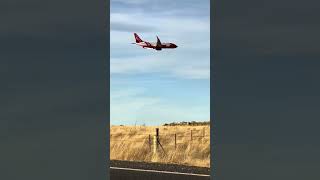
121, 170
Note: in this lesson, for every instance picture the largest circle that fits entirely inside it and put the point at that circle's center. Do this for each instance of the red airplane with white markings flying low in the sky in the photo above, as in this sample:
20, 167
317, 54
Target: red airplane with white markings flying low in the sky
157, 46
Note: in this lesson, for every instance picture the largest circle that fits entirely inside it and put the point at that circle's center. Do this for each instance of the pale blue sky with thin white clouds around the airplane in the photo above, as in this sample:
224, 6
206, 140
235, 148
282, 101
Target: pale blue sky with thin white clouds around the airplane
155, 87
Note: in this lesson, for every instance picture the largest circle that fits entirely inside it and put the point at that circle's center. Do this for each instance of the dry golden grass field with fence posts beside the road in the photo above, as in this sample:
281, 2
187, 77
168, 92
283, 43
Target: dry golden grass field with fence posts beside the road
132, 143
